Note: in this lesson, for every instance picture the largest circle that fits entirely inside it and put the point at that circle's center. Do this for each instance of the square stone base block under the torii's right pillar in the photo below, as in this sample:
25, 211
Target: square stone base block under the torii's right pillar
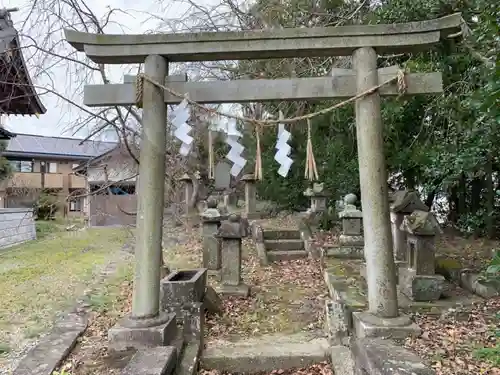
369, 325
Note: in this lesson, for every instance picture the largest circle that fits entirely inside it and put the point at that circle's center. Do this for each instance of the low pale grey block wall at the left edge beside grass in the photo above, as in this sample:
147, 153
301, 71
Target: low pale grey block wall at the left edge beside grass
17, 225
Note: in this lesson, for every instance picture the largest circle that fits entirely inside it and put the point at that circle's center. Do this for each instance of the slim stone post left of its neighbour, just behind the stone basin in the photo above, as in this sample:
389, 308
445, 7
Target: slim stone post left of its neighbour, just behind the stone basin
211, 218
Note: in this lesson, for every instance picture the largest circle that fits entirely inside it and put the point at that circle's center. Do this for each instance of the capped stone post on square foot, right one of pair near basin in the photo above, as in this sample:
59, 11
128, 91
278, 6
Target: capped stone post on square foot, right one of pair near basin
231, 233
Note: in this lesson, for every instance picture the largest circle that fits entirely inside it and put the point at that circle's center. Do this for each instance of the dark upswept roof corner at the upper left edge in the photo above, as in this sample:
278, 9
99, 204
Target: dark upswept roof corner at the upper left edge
17, 94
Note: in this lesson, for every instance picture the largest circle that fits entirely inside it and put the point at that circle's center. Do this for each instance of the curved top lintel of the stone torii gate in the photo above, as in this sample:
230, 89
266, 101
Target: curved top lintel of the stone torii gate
261, 44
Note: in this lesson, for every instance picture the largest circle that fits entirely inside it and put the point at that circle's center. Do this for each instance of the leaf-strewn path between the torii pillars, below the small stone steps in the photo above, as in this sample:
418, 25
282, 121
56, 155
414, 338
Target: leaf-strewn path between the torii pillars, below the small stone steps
285, 297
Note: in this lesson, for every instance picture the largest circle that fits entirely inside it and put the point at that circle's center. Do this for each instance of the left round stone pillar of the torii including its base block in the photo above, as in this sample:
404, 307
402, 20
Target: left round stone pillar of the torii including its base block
146, 326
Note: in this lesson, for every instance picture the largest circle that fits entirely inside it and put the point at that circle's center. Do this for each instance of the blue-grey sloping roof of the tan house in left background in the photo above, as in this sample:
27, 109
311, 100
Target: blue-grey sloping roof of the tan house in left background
28, 145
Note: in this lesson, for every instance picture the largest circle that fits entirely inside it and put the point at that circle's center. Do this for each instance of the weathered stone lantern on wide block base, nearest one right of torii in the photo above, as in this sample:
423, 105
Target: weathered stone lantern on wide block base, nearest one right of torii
418, 280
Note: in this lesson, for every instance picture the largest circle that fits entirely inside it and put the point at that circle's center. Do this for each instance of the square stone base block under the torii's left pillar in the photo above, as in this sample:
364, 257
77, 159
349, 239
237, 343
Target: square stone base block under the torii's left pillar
142, 333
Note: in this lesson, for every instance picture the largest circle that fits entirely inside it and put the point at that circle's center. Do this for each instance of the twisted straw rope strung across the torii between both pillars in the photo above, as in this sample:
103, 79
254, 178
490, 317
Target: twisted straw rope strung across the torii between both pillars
399, 78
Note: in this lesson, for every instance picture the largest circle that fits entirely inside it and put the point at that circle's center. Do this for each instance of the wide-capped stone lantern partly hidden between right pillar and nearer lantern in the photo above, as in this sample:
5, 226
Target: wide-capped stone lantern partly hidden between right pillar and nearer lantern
402, 203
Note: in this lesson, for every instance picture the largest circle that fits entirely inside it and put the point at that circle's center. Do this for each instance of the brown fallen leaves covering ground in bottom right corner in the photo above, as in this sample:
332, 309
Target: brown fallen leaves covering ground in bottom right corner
448, 342
